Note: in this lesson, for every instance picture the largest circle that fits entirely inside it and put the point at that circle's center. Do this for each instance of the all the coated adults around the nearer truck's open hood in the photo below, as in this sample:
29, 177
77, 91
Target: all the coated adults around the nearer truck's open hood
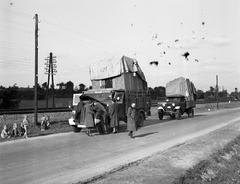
96, 114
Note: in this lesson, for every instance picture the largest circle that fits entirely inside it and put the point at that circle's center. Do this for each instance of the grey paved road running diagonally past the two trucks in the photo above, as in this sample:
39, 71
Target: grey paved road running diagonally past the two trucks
71, 157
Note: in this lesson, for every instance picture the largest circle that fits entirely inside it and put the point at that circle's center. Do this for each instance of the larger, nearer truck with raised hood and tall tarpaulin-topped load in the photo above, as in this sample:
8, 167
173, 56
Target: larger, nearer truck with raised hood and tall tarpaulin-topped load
119, 78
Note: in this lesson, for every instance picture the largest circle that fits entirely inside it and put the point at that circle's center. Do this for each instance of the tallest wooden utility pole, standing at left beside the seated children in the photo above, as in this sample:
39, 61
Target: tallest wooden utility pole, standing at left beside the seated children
36, 71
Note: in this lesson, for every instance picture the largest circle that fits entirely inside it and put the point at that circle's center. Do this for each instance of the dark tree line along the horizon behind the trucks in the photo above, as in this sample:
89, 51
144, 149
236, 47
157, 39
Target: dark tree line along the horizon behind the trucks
11, 97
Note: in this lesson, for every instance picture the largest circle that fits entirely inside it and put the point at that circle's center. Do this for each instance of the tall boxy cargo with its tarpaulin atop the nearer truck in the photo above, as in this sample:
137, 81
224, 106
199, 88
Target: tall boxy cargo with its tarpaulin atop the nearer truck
117, 73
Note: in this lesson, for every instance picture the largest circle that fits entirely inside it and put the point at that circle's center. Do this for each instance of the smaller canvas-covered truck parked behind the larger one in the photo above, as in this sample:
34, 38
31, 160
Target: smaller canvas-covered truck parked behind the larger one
180, 99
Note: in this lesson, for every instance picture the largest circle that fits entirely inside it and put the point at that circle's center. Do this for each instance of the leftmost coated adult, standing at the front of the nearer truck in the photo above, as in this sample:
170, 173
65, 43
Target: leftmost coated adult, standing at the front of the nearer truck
89, 118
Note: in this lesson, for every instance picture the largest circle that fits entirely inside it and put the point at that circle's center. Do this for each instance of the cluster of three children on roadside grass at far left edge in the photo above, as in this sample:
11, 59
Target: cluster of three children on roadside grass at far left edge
15, 131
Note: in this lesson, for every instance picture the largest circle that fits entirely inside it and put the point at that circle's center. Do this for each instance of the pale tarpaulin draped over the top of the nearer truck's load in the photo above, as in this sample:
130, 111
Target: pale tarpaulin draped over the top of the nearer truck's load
114, 66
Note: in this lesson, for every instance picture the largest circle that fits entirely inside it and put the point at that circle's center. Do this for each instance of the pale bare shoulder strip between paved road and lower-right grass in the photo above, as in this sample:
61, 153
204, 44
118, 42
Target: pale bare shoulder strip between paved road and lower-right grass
165, 167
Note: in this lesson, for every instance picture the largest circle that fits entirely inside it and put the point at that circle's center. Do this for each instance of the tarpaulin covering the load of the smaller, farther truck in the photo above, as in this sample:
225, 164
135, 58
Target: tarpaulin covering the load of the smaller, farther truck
180, 87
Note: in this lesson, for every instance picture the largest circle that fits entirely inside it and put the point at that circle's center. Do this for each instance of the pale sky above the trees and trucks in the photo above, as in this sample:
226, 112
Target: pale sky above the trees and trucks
79, 32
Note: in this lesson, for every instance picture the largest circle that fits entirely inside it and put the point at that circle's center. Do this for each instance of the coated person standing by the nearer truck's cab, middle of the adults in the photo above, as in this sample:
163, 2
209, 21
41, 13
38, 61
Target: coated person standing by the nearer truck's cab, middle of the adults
113, 114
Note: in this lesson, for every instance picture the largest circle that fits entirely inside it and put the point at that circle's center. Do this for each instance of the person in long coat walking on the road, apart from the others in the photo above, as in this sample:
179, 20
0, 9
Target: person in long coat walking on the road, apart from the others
131, 120
